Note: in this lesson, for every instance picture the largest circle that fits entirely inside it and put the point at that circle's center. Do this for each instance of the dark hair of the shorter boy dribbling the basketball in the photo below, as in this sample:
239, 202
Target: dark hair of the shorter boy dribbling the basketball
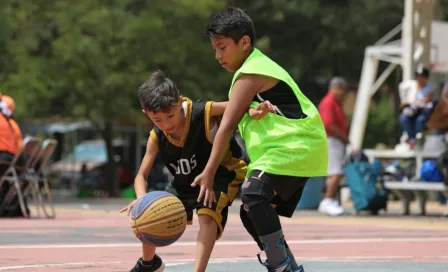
158, 93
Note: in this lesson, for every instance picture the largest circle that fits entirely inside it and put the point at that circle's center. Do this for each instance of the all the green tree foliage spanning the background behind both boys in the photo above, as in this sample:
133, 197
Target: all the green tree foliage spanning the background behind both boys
85, 59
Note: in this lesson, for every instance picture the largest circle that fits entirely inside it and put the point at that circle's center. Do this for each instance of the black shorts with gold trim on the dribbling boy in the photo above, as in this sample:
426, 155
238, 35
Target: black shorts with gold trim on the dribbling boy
225, 193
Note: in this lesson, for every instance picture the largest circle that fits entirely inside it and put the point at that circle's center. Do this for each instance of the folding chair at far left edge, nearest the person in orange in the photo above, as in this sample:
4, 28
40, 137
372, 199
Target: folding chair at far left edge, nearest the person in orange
29, 149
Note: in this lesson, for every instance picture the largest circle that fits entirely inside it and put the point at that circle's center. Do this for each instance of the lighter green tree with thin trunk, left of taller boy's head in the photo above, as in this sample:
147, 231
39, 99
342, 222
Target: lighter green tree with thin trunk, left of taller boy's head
85, 59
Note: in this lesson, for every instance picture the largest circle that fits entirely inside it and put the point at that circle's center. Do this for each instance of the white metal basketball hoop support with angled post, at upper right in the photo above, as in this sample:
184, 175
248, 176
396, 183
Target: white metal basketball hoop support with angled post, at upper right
412, 50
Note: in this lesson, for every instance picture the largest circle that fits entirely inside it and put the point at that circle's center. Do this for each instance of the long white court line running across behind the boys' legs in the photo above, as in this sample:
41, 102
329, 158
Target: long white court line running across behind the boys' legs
238, 243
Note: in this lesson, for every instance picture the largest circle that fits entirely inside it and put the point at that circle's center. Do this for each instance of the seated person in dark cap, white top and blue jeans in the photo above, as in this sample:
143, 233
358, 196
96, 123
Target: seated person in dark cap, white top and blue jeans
416, 96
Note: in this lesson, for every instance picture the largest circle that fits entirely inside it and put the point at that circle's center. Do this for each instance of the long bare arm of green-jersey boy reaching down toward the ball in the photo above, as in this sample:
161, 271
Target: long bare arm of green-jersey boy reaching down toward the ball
243, 92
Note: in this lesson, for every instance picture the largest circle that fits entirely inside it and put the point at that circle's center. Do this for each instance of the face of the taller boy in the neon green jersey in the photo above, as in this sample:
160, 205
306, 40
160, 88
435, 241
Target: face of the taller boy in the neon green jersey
229, 54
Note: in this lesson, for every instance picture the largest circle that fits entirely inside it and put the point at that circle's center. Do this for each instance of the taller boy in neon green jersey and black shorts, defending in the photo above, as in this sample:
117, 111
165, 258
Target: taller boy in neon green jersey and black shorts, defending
285, 148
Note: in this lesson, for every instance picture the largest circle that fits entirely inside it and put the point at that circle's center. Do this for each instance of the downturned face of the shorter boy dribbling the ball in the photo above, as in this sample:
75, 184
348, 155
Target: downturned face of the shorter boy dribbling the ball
170, 121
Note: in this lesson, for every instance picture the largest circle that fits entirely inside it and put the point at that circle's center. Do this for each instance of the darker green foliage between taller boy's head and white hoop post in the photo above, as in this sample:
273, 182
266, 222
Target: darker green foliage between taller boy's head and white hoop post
318, 39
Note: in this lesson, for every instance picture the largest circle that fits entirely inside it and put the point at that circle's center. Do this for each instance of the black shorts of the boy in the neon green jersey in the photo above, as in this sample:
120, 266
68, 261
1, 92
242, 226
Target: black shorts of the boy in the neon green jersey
283, 192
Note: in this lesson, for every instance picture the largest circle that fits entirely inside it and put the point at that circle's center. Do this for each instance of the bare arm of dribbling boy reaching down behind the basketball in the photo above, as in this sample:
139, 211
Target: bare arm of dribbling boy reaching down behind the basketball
140, 184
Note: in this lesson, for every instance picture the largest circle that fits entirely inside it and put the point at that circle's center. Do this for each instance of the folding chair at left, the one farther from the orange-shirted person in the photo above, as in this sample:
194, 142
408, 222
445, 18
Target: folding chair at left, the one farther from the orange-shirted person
38, 180
